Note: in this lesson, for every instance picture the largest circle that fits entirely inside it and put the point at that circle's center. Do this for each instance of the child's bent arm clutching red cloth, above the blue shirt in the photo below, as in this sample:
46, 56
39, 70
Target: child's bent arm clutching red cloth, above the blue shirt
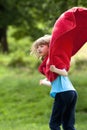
58, 71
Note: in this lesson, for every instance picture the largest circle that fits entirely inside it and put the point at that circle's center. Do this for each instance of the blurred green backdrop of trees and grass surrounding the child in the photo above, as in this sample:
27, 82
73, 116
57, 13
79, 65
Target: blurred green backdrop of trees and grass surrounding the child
24, 105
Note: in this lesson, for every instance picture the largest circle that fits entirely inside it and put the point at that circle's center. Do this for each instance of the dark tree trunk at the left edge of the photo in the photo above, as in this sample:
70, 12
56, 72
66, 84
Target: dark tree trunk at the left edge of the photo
3, 39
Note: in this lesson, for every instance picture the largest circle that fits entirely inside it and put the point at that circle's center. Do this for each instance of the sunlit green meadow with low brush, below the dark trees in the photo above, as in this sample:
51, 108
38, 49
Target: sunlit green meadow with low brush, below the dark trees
24, 104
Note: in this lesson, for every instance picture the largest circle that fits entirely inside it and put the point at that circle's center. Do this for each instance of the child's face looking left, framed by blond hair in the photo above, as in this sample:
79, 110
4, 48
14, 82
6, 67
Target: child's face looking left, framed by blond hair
42, 50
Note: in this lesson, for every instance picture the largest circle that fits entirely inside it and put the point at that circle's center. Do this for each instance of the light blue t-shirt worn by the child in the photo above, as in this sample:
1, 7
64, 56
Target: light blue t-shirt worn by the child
61, 84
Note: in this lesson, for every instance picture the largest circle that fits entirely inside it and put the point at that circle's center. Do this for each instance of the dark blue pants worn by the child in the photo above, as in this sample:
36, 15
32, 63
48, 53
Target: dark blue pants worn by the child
63, 112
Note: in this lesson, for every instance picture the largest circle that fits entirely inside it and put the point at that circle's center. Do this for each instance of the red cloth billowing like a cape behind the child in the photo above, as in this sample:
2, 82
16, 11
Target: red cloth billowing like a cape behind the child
68, 36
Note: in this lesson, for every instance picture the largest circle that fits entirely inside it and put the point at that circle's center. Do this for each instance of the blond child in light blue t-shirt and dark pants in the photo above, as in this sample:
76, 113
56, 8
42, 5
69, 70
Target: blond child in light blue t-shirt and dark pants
62, 91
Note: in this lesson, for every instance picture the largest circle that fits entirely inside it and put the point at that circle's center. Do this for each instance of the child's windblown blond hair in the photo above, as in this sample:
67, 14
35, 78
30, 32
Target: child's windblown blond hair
45, 40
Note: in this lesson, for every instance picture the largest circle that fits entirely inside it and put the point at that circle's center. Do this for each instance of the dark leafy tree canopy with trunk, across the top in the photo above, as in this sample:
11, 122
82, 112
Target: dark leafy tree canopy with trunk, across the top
31, 18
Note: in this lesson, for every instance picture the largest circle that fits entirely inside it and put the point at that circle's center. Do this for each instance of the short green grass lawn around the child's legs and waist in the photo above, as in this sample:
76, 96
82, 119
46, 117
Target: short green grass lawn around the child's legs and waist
24, 105
